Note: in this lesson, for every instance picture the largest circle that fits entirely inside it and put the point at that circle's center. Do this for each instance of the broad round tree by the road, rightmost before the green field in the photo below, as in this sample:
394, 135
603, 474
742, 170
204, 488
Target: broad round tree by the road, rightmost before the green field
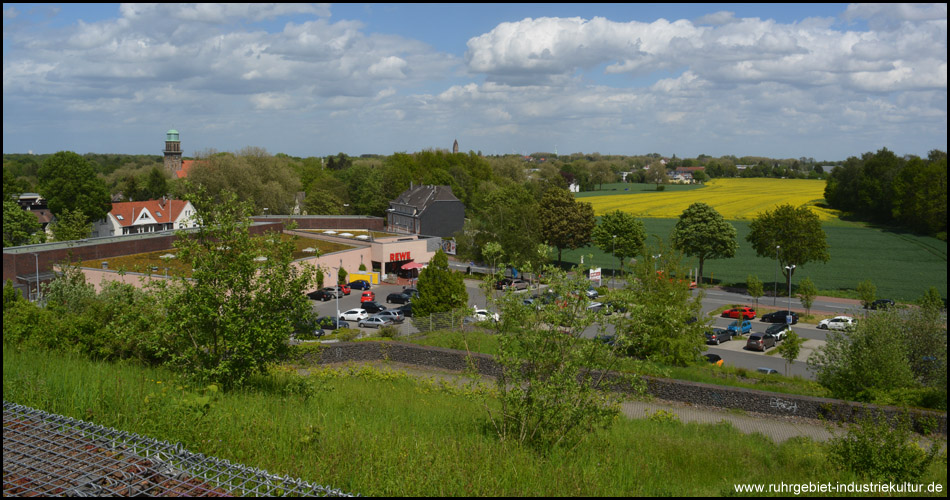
797, 230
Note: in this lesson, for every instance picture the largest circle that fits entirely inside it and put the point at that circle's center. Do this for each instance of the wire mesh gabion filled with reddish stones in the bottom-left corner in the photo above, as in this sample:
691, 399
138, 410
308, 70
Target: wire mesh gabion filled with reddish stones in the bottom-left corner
51, 455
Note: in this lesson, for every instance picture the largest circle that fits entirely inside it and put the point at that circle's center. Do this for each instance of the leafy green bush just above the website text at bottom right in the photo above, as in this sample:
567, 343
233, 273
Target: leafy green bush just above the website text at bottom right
880, 453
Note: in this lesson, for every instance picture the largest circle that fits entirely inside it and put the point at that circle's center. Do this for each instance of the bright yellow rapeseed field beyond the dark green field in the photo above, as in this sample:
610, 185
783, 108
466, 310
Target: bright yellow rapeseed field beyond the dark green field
733, 198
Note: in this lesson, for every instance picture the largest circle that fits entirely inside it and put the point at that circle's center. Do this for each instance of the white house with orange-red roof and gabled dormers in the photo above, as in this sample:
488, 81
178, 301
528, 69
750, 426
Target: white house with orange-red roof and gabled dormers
134, 217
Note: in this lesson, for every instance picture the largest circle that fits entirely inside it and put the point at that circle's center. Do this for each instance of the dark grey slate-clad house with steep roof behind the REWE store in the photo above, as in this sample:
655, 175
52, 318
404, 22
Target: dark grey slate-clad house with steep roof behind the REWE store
426, 210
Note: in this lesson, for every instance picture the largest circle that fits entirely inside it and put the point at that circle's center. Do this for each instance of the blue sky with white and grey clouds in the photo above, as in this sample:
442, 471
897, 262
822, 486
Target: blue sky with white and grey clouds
825, 81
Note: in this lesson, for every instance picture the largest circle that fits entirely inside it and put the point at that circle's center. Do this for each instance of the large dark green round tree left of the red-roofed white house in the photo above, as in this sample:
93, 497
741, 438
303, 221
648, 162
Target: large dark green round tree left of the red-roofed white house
69, 182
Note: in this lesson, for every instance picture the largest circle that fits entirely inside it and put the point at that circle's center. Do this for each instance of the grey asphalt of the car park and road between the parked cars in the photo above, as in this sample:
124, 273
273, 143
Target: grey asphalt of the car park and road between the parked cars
732, 352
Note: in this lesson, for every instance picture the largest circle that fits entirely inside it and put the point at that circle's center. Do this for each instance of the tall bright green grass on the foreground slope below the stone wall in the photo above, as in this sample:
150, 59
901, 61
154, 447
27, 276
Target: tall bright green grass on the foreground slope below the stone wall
380, 433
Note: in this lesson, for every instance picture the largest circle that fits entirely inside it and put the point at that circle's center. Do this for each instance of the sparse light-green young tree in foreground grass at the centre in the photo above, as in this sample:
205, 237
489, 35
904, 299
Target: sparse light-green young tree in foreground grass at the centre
548, 393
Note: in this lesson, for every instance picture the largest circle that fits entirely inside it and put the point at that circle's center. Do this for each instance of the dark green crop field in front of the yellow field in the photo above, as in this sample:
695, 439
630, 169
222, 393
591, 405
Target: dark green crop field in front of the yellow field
901, 265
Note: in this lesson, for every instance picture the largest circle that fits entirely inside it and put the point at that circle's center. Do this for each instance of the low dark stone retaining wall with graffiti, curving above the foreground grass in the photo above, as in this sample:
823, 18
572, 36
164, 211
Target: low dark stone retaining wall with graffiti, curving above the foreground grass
698, 393
